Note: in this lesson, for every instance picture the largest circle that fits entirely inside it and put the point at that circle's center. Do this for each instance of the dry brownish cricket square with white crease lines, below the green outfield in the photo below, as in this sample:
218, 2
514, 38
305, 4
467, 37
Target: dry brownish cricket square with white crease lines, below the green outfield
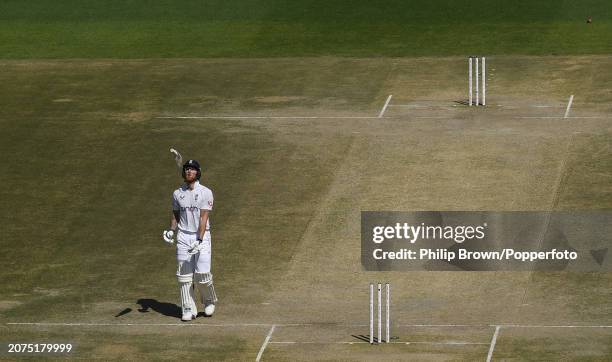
87, 179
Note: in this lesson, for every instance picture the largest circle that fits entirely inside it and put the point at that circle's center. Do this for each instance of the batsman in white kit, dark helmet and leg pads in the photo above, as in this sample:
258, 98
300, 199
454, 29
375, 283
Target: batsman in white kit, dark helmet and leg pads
191, 207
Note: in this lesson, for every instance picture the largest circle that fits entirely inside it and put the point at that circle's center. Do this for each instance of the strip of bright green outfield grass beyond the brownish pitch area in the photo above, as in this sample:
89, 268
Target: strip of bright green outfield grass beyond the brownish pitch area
276, 28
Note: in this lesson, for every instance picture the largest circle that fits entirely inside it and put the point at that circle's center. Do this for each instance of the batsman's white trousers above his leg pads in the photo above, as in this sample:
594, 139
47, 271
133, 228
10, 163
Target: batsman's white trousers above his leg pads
199, 263
